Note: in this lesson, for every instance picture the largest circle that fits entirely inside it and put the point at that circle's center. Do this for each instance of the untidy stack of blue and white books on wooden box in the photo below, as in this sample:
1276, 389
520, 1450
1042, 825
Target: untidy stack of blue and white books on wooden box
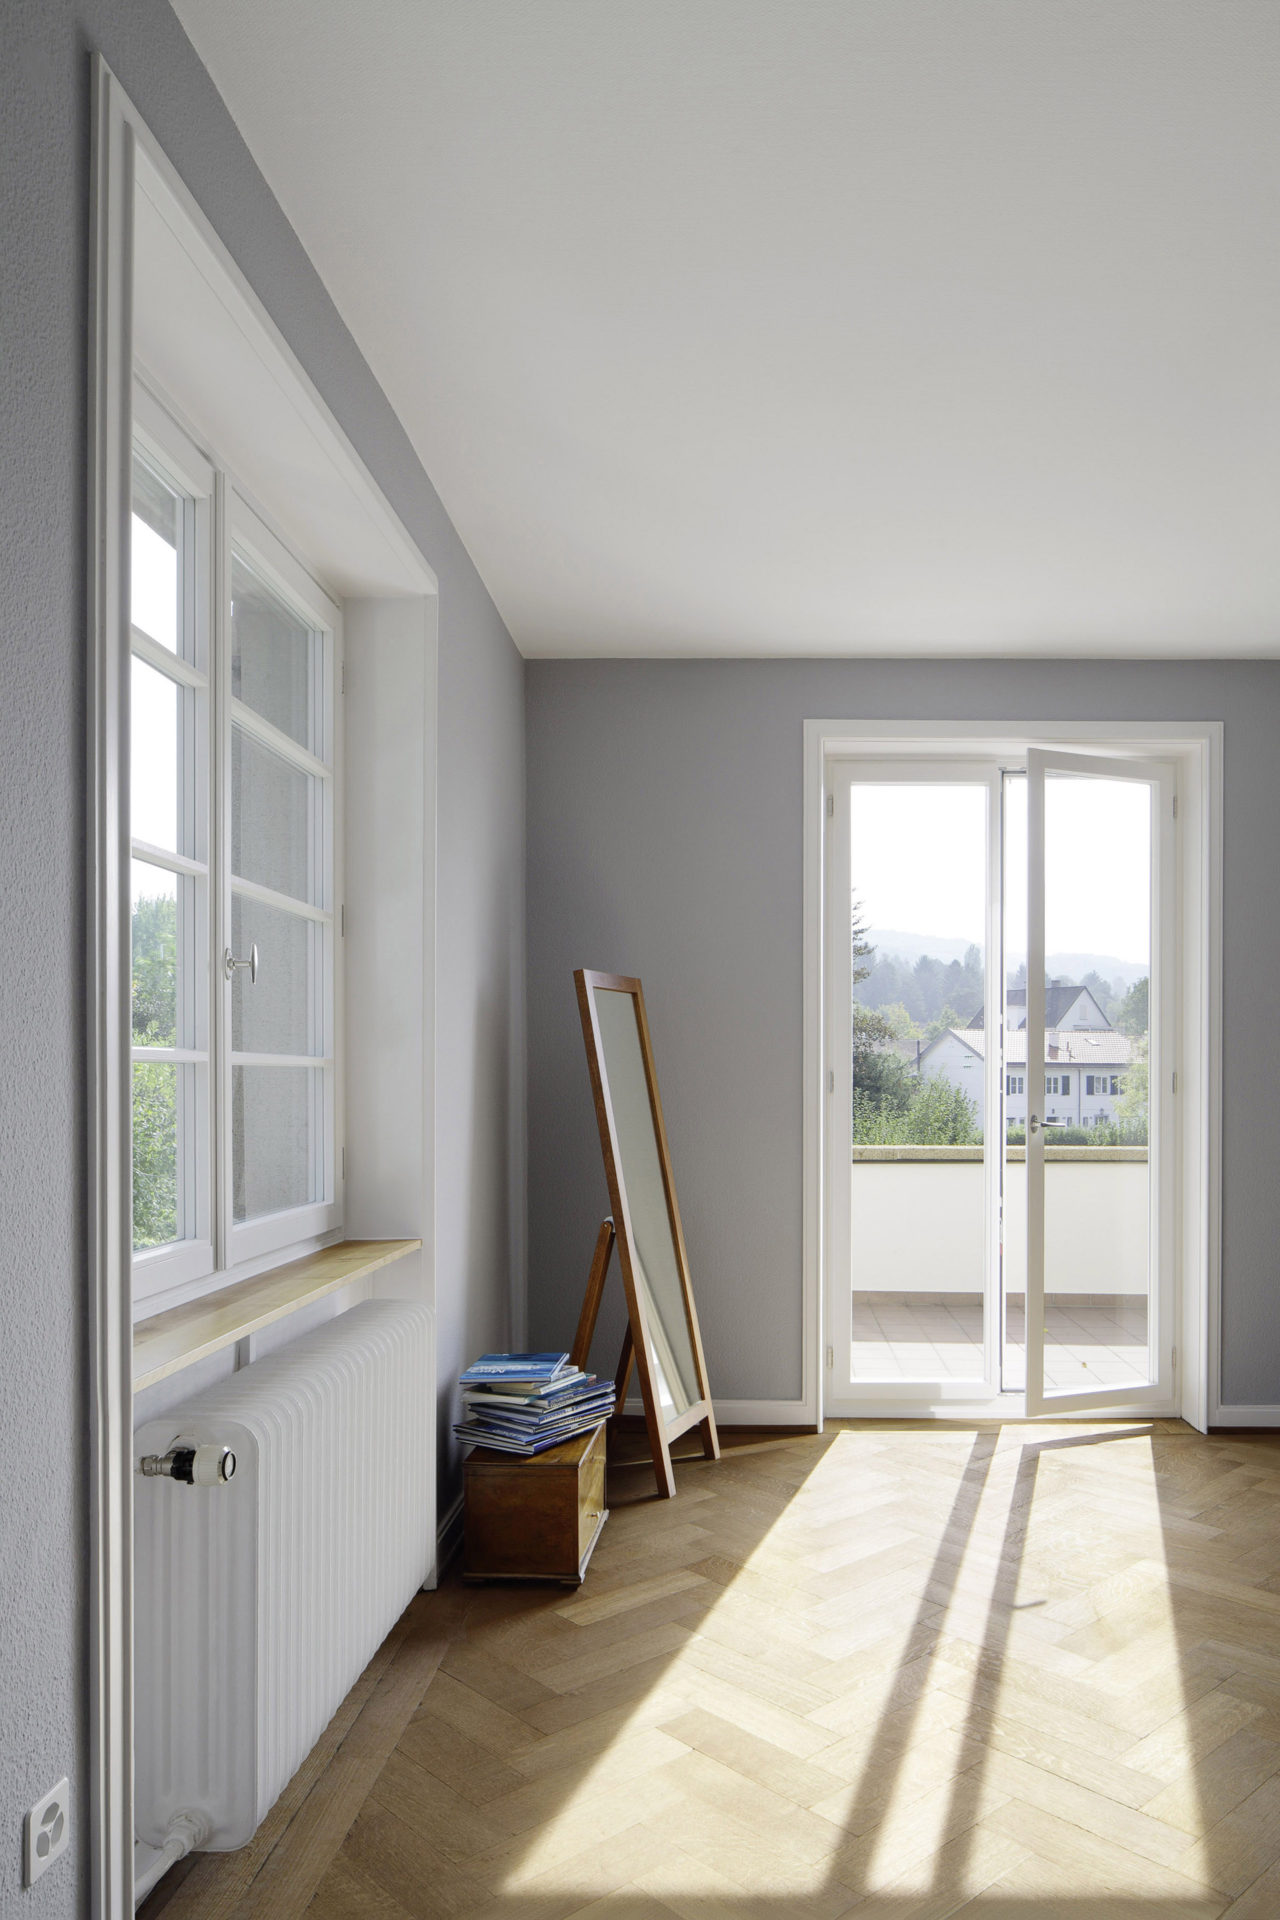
531, 1403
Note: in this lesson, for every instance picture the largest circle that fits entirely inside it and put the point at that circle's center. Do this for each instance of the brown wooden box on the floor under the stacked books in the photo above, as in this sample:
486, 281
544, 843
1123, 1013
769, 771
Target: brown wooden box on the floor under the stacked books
534, 1520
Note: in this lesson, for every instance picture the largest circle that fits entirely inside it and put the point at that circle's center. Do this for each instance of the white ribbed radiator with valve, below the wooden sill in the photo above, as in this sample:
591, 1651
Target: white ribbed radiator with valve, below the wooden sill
260, 1602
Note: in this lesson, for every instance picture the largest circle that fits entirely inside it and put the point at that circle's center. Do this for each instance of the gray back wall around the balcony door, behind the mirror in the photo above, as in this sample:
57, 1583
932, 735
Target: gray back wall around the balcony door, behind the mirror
665, 838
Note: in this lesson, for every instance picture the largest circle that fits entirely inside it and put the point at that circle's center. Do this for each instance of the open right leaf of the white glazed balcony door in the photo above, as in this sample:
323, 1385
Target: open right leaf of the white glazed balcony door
1099, 1228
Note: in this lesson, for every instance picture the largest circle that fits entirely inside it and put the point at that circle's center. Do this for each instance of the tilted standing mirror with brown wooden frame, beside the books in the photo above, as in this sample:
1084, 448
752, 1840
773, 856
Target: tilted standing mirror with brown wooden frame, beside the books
652, 1245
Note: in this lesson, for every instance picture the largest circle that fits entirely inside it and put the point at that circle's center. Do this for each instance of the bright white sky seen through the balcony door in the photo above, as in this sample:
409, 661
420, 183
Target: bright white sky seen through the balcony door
918, 863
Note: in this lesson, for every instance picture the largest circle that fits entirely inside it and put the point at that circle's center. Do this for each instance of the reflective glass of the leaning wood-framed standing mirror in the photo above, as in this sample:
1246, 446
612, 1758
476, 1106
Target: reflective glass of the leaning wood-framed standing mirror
640, 1174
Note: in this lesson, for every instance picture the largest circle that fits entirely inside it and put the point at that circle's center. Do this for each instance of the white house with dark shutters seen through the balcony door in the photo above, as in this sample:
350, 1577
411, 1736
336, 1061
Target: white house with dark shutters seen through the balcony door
1083, 1072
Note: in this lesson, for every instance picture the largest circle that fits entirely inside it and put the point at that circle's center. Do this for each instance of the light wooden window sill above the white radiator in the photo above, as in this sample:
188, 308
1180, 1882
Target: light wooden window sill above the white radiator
202, 1328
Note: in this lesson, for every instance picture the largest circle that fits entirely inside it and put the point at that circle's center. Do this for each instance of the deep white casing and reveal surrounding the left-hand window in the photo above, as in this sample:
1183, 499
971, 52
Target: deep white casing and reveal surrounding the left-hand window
156, 264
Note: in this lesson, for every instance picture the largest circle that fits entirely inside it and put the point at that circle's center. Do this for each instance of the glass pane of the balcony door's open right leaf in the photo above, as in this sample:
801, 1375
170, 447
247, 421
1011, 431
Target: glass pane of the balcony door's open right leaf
1087, 1051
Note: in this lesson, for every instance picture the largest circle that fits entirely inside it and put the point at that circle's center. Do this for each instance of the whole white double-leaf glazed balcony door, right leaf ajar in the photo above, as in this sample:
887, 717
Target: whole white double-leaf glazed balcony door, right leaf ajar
999, 1028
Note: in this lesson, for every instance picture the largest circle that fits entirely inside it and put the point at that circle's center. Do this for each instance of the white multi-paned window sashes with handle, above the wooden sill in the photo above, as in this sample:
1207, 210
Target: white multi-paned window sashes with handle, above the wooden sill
222, 523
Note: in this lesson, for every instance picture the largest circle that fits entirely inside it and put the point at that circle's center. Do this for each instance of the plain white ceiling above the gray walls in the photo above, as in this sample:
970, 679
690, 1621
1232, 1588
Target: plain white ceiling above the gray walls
761, 327
